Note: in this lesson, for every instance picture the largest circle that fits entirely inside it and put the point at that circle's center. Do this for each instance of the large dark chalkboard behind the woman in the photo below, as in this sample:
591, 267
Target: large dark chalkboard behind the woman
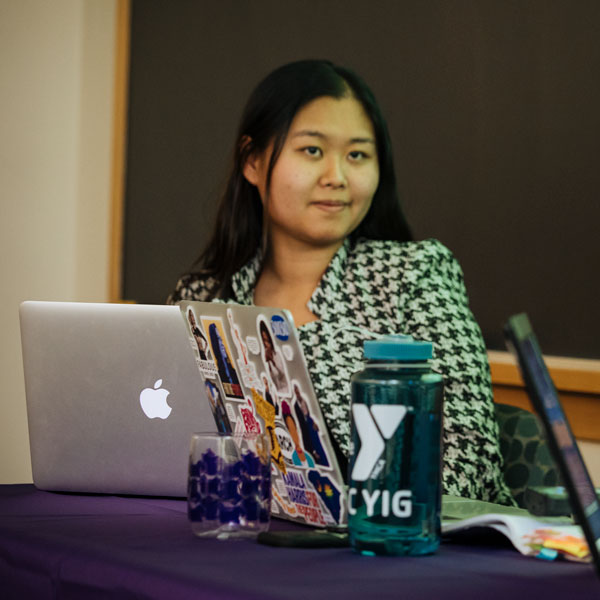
494, 111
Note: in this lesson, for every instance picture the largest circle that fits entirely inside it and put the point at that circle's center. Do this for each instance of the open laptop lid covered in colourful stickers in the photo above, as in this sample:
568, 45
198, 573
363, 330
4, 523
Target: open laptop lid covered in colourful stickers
257, 379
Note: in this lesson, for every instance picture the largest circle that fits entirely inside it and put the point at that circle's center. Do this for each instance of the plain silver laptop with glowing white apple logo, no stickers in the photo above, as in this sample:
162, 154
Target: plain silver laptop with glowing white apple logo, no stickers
113, 395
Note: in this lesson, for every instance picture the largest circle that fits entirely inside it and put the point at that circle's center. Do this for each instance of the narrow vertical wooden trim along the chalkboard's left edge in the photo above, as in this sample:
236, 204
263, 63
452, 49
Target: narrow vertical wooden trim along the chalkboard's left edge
119, 143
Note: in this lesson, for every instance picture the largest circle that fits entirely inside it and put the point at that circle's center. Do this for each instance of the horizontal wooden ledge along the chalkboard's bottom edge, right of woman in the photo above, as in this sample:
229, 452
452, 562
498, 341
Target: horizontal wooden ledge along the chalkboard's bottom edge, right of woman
568, 374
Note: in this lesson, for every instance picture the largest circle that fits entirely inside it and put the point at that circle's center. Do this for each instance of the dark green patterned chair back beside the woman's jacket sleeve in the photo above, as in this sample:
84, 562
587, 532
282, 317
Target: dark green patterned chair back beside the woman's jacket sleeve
527, 458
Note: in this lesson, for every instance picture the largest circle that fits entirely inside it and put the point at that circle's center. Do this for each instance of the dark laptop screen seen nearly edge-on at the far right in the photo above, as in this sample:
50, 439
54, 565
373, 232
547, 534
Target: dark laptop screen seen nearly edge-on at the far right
584, 502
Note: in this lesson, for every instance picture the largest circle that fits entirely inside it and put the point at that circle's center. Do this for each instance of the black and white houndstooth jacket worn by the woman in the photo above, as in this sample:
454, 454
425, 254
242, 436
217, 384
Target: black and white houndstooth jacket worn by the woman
416, 288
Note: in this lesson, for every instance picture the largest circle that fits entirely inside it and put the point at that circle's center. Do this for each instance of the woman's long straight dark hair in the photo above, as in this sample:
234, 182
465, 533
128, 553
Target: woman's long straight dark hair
267, 117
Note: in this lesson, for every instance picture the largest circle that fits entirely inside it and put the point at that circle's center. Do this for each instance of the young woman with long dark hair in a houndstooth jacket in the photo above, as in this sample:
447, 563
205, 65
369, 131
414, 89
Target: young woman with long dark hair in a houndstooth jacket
310, 221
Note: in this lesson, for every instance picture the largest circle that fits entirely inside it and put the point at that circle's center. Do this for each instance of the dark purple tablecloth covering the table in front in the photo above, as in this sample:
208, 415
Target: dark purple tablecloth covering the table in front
76, 546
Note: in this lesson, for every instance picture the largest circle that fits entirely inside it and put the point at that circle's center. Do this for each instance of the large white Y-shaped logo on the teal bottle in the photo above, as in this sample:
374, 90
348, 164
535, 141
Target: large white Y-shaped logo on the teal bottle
373, 427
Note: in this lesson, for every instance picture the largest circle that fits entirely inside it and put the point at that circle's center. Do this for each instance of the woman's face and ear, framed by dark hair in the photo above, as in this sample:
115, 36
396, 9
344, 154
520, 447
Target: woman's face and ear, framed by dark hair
325, 178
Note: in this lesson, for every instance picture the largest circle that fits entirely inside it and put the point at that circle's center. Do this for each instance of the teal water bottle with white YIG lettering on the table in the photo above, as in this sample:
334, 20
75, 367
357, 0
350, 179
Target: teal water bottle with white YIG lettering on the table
394, 473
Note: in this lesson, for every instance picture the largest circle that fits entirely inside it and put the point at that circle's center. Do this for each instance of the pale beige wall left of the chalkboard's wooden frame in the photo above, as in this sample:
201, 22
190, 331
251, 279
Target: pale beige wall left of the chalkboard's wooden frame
56, 92
